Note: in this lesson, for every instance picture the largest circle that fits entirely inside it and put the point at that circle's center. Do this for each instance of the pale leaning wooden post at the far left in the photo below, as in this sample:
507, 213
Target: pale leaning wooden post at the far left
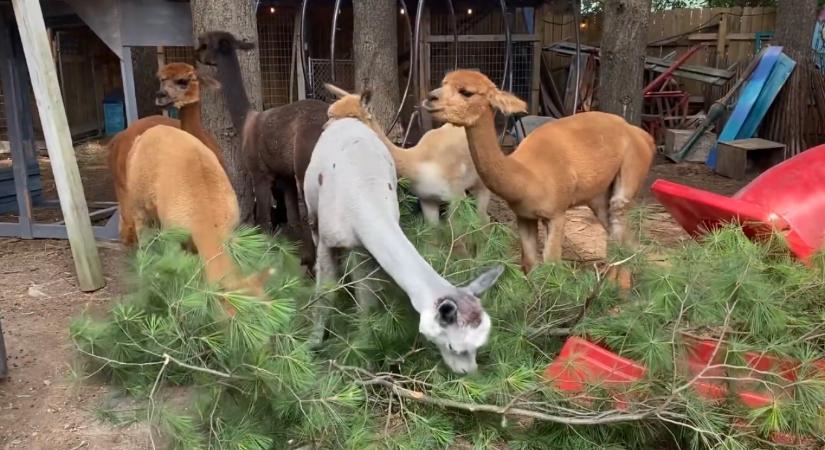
43, 75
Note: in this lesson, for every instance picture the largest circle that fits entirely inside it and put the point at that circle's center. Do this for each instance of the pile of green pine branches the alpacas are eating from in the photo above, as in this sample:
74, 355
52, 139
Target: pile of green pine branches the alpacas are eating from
249, 381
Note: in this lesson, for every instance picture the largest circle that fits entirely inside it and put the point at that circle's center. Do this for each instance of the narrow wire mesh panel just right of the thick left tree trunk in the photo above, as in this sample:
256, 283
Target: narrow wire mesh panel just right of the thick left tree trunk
275, 27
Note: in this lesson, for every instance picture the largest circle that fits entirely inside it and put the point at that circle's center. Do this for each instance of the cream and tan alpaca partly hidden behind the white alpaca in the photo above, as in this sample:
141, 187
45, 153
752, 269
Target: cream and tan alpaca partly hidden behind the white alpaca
439, 166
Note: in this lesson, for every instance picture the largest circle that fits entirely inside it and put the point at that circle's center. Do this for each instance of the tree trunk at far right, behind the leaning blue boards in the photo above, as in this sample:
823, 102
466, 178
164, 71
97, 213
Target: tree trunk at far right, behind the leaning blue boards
795, 20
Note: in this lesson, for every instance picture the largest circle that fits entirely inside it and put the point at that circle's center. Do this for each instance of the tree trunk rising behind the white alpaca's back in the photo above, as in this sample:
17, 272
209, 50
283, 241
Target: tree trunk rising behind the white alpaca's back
375, 50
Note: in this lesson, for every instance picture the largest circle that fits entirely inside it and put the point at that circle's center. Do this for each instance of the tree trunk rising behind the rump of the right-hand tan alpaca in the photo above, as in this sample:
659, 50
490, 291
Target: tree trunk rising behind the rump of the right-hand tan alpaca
624, 41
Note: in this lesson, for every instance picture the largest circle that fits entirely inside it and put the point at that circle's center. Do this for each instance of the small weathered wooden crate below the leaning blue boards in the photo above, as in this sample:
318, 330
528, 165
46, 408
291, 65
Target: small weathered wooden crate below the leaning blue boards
737, 159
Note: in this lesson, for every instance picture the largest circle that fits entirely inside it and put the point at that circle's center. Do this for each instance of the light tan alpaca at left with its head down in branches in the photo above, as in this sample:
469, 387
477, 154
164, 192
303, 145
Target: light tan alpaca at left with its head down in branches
174, 181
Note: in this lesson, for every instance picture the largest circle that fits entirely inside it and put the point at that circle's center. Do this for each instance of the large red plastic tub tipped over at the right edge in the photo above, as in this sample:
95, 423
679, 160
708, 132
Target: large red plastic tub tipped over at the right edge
789, 198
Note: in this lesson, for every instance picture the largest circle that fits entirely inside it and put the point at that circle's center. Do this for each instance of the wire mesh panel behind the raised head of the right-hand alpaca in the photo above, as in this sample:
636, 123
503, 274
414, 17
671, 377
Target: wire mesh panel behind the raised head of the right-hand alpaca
488, 58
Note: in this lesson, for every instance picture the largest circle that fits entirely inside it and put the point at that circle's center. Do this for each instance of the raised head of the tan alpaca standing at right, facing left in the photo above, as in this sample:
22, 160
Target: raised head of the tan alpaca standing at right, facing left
465, 95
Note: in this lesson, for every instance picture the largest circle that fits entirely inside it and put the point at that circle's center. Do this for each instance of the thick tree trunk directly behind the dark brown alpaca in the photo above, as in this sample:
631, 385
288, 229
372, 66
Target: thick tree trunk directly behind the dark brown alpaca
238, 18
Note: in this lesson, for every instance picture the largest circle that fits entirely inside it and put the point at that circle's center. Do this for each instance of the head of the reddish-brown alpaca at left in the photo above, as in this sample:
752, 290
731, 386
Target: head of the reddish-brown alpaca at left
180, 85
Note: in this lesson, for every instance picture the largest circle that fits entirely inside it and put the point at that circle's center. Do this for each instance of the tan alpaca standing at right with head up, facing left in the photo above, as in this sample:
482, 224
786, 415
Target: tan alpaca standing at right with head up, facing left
594, 159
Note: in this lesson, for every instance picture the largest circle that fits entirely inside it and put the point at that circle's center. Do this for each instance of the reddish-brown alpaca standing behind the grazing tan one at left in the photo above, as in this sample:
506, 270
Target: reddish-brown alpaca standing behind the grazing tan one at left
180, 85
